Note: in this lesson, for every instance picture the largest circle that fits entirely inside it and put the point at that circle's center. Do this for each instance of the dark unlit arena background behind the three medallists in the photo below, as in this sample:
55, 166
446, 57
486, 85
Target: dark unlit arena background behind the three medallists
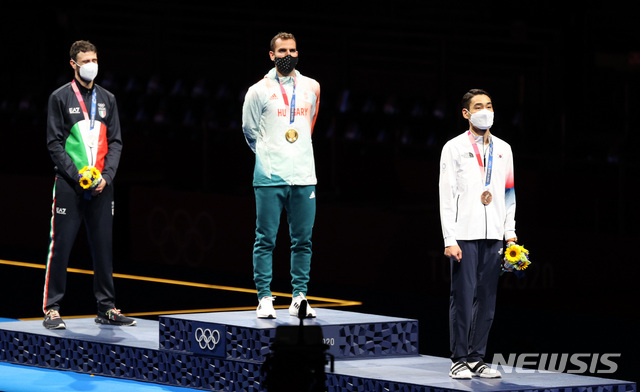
565, 90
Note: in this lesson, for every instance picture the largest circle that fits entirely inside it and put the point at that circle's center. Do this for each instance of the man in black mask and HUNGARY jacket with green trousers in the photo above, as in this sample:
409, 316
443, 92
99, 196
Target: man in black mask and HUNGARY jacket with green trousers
278, 117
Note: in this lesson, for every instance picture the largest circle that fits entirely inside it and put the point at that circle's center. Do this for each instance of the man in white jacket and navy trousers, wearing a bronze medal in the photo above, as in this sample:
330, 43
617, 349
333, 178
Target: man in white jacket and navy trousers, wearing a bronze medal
477, 212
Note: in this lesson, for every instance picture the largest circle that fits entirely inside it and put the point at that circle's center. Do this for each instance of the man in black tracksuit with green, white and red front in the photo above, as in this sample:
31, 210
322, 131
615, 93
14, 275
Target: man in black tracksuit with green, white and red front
83, 131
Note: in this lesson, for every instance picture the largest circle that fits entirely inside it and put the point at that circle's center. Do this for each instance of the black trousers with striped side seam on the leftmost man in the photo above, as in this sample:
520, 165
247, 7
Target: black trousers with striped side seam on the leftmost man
70, 208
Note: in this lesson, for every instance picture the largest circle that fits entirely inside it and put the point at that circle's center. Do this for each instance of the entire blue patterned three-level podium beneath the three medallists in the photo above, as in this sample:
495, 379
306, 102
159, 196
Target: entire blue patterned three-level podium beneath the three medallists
225, 351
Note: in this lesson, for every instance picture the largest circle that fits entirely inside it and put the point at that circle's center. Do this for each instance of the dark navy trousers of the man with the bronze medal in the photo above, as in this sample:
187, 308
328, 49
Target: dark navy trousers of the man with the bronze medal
472, 302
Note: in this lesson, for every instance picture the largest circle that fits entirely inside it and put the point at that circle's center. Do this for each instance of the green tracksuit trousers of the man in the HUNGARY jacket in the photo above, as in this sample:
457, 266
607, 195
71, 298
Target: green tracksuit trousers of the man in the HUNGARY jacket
300, 204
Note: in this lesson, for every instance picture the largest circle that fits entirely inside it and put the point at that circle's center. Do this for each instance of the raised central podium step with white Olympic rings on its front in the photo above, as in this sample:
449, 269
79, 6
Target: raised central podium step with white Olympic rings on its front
242, 336
